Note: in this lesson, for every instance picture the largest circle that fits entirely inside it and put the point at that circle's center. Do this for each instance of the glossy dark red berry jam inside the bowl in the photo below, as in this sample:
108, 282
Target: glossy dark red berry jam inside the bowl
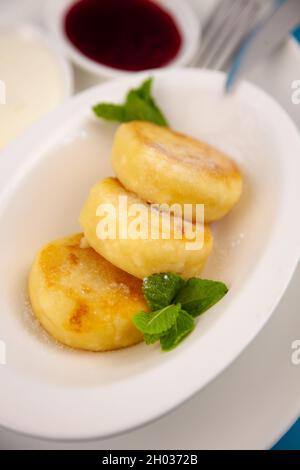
130, 35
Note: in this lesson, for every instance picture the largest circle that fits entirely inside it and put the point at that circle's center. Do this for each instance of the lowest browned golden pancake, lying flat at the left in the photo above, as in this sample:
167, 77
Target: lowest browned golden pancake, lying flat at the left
82, 300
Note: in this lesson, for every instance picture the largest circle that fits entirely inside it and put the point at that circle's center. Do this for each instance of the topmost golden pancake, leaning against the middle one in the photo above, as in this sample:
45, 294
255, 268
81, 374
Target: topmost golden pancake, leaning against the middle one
163, 166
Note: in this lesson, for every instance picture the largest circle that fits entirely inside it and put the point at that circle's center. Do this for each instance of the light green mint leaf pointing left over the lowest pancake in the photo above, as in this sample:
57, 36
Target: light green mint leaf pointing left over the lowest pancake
157, 322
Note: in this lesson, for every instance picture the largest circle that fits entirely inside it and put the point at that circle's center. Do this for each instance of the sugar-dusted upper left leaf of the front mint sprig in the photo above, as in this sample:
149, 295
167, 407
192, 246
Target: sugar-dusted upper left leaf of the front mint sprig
160, 289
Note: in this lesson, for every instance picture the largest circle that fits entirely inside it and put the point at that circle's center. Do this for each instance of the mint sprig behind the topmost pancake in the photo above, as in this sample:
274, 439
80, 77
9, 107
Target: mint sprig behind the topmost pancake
139, 105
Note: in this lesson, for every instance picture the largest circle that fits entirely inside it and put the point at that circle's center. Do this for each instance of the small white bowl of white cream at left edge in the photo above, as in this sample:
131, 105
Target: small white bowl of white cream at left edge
34, 78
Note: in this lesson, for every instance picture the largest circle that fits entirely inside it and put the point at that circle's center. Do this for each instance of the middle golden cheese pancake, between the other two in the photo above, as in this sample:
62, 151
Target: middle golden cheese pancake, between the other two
141, 253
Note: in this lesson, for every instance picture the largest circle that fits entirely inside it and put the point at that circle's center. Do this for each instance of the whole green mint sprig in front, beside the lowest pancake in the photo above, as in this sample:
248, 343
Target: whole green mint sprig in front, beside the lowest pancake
174, 304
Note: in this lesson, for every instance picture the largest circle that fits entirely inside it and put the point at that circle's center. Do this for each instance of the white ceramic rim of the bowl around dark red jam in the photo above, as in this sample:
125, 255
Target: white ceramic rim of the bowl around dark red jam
184, 15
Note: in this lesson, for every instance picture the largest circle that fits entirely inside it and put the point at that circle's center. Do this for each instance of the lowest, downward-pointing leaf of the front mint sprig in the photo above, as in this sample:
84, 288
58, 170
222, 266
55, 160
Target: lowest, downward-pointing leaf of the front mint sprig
183, 326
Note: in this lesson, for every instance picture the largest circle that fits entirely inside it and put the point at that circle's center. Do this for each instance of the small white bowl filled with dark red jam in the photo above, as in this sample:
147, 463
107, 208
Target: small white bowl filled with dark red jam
112, 37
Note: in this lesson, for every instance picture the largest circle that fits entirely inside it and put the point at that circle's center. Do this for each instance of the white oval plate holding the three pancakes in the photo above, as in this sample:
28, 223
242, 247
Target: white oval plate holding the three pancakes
51, 391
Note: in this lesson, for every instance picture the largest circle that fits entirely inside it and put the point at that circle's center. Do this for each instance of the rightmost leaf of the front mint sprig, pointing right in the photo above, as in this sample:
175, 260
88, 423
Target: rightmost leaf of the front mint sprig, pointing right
198, 295
